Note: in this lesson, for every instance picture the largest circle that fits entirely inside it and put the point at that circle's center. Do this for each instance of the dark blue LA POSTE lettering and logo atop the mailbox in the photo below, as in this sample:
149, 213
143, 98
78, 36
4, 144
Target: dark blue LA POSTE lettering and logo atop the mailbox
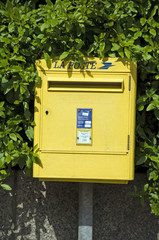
87, 65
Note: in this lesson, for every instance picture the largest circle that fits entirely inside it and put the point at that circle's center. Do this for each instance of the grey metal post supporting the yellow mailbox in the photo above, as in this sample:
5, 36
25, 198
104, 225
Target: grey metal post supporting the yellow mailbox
85, 220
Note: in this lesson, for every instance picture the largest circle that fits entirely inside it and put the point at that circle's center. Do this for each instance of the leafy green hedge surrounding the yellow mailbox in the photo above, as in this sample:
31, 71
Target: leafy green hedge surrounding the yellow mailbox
71, 30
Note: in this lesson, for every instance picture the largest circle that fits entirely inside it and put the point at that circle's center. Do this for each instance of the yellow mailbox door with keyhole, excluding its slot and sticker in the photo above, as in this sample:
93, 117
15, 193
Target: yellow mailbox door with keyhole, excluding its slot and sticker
109, 120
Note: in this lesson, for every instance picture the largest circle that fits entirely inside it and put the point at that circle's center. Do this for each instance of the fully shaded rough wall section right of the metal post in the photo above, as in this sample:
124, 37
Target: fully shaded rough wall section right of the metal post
120, 217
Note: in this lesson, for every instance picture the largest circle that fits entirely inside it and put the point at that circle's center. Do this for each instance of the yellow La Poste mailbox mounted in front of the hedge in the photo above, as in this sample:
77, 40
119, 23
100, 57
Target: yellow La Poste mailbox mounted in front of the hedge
85, 120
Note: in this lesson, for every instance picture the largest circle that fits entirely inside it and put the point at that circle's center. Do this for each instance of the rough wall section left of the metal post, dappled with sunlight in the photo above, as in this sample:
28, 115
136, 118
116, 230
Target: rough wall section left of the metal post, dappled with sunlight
38, 210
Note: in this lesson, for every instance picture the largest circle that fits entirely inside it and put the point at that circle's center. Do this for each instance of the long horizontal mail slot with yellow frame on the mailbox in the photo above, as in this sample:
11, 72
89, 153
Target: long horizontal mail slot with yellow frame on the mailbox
85, 86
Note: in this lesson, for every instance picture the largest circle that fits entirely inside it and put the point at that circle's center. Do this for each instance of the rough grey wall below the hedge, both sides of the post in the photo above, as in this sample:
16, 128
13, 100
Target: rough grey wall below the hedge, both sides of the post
49, 211
